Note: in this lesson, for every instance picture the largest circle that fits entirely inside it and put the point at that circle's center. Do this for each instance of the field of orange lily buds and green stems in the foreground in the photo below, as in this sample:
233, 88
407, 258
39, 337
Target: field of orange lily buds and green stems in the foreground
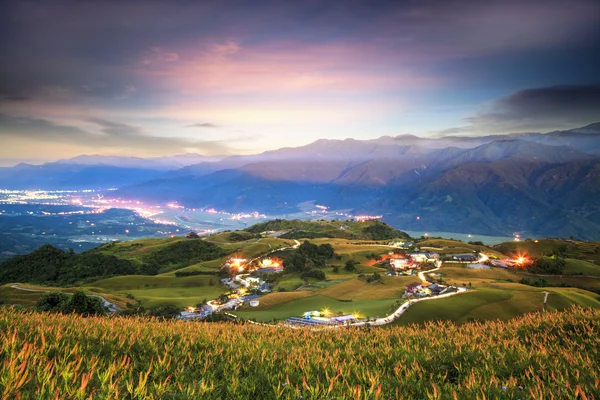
541, 356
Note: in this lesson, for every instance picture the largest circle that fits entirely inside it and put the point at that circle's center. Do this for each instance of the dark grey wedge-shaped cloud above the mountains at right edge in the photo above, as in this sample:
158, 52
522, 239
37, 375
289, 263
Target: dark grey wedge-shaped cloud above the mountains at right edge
539, 109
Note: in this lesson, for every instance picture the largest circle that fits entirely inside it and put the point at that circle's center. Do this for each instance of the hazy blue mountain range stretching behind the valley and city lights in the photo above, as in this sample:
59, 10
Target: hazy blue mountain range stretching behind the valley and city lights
531, 183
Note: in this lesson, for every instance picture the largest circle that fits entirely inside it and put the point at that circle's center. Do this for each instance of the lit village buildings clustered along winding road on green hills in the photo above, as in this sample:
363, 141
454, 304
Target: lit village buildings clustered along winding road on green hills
247, 281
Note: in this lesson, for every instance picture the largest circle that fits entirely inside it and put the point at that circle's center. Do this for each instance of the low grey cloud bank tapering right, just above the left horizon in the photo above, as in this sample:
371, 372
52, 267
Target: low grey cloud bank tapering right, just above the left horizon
112, 134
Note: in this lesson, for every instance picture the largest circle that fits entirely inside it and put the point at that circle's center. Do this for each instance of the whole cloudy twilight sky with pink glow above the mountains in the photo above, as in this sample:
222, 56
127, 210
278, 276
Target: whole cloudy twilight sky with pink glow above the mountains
159, 78
